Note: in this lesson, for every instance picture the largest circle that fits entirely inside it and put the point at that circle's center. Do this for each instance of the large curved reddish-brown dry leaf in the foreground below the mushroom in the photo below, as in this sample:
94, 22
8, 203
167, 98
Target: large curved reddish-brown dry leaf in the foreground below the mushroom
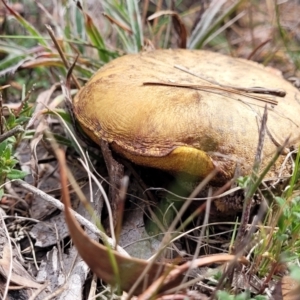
104, 261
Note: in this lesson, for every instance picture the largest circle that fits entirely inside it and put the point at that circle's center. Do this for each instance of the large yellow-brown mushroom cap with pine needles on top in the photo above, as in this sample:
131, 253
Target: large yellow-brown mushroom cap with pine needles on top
188, 111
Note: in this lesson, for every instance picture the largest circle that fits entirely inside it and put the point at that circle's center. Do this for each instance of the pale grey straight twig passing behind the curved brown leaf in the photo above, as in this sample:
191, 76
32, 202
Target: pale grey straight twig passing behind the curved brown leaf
84, 222
